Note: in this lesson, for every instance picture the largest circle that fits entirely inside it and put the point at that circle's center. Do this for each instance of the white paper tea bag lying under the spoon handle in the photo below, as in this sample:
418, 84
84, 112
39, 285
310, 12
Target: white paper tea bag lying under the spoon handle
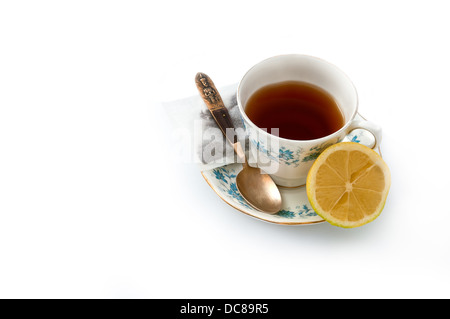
190, 116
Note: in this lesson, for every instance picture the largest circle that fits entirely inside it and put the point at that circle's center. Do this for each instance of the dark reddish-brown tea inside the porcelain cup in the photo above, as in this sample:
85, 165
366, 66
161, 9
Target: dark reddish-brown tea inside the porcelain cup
301, 111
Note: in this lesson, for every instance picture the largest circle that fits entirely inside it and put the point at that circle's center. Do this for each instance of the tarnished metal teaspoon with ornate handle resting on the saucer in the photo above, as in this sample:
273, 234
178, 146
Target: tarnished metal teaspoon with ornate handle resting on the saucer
258, 189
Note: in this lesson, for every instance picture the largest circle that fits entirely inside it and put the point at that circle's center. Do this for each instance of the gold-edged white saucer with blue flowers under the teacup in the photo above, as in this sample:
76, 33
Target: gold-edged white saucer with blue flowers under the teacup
296, 209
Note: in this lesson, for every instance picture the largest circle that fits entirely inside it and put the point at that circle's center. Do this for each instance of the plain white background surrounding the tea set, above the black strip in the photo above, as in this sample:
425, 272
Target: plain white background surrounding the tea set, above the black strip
94, 204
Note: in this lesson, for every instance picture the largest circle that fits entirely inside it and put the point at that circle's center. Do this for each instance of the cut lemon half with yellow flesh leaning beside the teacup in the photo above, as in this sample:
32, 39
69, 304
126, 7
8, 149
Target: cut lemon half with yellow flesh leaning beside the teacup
348, 184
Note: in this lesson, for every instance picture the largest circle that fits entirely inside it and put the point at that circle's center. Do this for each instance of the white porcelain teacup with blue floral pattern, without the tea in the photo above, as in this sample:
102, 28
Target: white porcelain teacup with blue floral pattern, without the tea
288, 161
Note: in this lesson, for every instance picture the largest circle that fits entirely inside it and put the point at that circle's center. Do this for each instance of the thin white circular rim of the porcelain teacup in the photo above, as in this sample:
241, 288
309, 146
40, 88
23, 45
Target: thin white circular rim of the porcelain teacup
343, 128
